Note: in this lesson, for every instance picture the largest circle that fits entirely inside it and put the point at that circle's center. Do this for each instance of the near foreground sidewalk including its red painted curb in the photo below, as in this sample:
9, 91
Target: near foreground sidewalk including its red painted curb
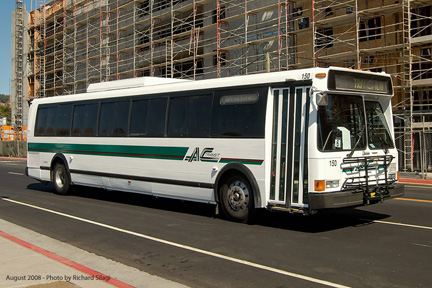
30, 259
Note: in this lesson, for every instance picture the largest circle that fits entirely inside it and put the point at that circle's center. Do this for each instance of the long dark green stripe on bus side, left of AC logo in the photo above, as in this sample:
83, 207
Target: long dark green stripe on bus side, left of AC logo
154, 152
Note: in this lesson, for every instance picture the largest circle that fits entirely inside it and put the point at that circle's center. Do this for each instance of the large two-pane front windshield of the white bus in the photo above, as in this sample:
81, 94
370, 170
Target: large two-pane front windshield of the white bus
342, 125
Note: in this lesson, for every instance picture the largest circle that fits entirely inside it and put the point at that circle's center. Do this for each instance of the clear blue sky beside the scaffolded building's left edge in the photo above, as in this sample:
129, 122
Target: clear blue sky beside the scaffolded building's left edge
6, 8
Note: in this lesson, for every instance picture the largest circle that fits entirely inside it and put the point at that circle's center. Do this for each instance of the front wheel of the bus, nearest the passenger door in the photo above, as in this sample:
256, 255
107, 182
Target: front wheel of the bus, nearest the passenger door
236, 198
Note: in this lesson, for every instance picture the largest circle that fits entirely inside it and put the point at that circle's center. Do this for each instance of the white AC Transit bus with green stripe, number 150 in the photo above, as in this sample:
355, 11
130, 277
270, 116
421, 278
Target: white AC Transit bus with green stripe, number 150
296, 141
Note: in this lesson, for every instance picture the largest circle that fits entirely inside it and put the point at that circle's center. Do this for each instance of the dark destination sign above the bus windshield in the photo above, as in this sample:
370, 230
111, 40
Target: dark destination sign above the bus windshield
372, 83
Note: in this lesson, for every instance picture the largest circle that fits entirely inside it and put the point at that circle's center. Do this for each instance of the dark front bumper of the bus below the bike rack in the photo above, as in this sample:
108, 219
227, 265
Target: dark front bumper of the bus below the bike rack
348, 198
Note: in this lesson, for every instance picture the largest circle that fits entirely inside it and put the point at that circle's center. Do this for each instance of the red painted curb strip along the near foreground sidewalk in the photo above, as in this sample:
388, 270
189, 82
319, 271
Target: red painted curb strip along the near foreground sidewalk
67, 262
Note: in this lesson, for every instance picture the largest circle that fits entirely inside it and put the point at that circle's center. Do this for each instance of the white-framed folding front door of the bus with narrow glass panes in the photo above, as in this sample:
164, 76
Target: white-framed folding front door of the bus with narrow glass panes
289, 147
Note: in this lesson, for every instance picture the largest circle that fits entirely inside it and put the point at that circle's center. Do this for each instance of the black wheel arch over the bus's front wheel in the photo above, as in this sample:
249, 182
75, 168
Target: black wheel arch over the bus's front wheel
237, 168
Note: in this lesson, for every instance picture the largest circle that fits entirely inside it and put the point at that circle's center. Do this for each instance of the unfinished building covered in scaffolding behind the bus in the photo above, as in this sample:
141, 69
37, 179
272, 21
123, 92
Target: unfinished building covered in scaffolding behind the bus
73, 43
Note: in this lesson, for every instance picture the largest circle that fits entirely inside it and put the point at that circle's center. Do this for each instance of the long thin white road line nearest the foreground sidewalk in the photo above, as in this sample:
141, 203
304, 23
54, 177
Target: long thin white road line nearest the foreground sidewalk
197, 250
